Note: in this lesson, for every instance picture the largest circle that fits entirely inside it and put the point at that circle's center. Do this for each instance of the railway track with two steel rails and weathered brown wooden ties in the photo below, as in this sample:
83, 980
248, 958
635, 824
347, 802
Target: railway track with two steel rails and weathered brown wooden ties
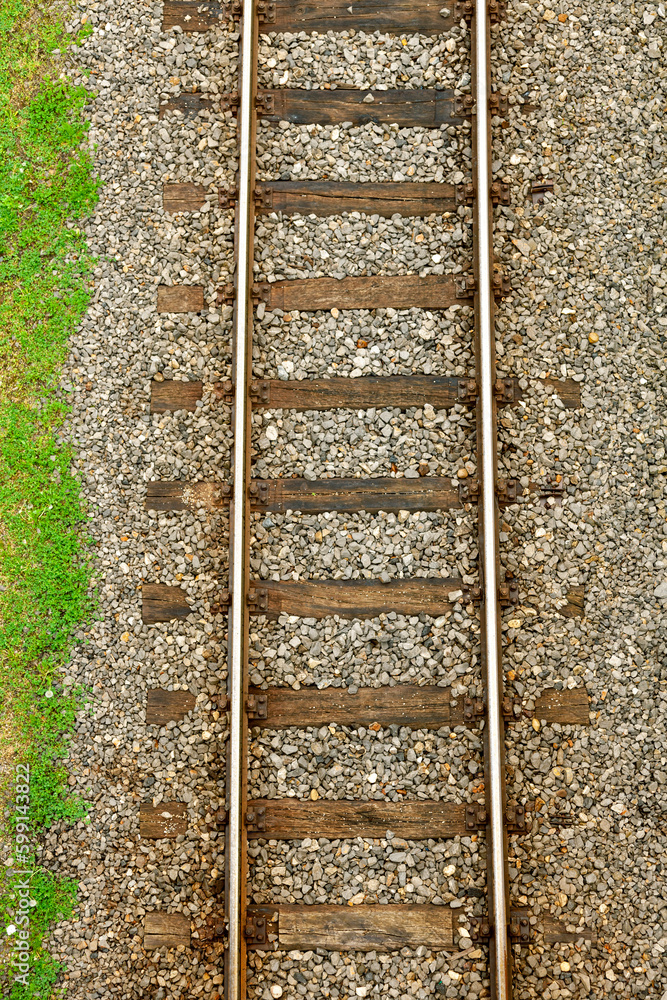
504, 922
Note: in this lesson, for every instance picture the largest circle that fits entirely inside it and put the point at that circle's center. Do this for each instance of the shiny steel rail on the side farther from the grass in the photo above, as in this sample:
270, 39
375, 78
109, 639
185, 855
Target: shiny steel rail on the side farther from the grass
486, 448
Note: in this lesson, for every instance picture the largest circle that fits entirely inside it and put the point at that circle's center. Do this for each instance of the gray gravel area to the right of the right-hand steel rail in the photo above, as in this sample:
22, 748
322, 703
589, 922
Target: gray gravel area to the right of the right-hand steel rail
588, 303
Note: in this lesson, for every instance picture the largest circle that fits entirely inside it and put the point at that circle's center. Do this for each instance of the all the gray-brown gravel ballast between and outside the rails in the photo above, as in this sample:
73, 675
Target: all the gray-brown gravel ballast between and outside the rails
588, 303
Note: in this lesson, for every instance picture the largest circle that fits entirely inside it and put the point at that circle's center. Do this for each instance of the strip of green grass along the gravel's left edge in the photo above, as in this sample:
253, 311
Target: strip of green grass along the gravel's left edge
46, 189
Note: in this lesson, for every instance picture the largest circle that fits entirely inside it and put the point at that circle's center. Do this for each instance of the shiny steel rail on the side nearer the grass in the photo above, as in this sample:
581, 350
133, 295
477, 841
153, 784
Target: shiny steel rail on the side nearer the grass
235, 863
